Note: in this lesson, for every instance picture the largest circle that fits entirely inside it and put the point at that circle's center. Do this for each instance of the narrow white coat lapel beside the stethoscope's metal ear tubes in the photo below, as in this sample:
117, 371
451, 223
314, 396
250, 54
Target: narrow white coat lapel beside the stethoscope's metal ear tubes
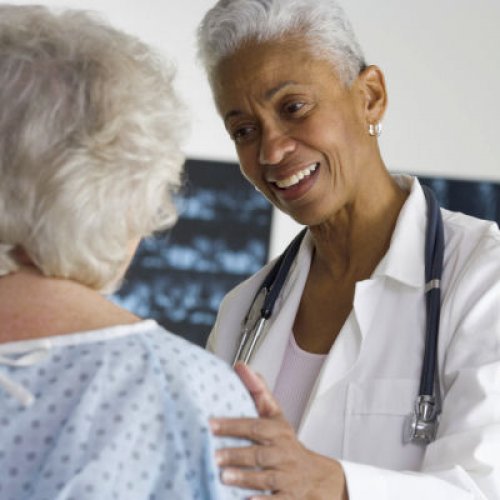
268, 357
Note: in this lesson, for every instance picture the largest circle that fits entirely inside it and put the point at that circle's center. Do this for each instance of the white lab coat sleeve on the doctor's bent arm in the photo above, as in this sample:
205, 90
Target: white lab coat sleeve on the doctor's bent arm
464, 461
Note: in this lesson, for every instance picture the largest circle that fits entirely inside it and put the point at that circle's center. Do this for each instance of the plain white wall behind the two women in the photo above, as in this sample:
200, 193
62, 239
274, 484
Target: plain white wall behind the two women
442, 65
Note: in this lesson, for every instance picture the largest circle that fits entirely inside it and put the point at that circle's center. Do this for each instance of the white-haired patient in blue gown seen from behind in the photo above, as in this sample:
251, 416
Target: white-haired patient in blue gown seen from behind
95, 403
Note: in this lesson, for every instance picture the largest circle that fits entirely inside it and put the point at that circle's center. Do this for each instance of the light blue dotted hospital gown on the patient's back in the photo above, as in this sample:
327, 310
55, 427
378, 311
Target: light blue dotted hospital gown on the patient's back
119, 413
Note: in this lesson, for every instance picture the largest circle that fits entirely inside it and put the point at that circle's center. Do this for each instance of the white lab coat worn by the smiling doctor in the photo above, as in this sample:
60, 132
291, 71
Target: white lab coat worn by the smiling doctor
370, 378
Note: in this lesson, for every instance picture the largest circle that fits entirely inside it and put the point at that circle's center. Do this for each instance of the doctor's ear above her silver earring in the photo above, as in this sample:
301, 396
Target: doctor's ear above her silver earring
371, 84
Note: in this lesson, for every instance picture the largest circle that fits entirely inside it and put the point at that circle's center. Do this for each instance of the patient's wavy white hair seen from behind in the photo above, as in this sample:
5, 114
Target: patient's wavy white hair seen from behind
89, 143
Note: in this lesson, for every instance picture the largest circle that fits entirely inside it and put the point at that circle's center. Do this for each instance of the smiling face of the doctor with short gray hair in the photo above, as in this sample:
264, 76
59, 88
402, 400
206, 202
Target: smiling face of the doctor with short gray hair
300, 134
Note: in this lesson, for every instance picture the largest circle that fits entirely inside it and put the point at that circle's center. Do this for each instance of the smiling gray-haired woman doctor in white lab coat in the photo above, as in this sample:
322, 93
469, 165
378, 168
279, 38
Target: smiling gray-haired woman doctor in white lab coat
342, 351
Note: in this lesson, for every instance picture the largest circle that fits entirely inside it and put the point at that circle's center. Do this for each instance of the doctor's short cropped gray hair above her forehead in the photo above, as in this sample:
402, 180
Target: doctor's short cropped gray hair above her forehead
323, 23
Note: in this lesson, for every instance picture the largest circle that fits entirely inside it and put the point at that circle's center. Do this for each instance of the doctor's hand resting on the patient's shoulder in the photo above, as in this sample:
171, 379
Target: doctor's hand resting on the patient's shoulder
276, 461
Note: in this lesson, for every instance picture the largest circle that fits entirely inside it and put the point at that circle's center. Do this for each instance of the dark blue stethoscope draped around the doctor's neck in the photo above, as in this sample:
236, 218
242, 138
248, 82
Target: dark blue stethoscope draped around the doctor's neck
421, 426
